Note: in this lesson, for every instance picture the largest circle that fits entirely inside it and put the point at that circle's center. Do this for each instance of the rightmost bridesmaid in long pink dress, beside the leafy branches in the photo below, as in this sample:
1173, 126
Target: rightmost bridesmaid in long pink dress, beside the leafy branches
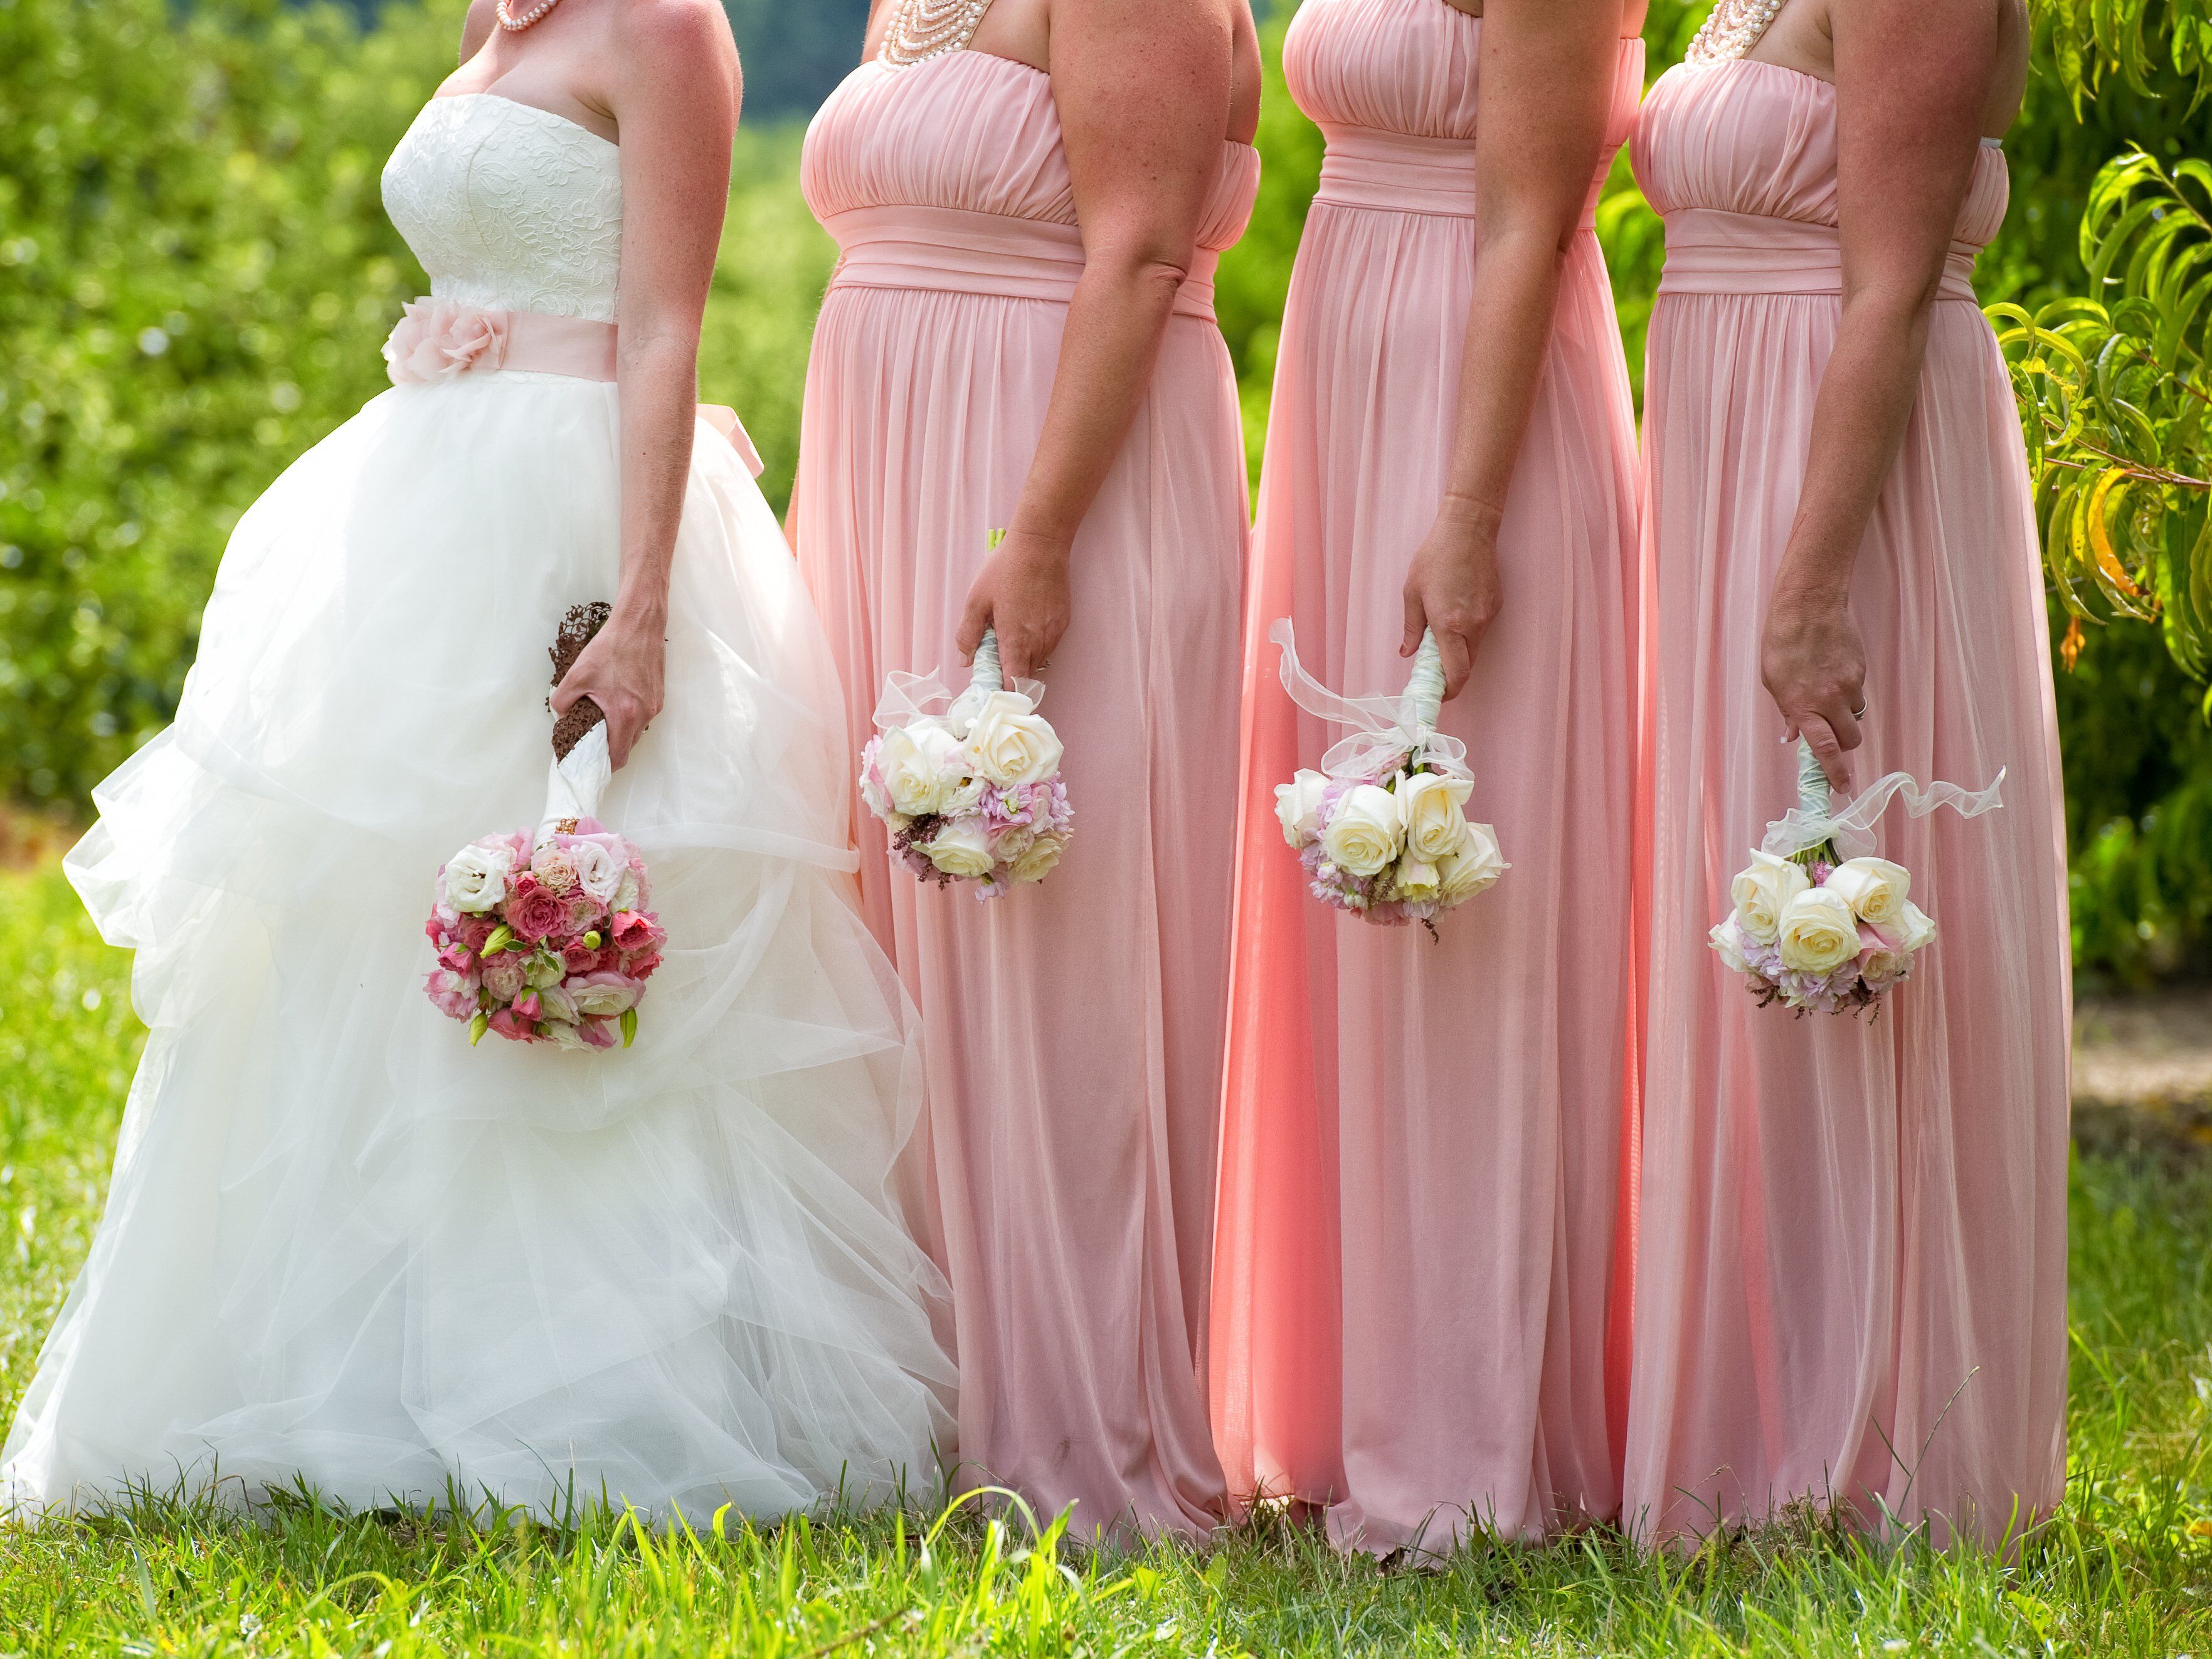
1853, 1275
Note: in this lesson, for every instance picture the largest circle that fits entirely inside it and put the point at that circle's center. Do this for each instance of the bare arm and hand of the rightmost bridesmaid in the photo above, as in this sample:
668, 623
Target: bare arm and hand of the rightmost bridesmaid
1912, 87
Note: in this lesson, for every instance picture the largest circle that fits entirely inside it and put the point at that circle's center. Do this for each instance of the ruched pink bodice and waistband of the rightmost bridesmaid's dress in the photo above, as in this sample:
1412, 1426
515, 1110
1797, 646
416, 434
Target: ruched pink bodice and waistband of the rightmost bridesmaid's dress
1733, 143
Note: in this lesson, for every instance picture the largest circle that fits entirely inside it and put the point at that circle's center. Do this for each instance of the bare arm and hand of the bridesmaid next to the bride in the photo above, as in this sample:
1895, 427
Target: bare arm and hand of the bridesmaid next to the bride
1145, 94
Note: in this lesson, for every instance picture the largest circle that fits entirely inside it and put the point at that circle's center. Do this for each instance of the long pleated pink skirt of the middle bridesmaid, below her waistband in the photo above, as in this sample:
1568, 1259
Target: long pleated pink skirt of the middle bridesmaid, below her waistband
1421, 1136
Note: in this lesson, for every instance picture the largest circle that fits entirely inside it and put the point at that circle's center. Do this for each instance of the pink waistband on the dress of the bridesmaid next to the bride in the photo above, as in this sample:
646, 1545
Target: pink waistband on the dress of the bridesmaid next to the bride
952, 251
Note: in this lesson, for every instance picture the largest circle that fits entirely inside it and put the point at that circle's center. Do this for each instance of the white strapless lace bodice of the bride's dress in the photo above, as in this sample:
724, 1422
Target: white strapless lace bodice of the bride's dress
510, 207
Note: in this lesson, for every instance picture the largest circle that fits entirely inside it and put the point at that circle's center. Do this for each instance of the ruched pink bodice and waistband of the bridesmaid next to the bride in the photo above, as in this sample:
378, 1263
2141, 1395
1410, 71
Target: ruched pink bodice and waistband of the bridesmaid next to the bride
952, 174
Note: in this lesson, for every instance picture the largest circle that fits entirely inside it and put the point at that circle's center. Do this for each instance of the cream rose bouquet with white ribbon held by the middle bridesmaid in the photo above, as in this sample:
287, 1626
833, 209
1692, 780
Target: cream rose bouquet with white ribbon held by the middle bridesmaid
1384, 828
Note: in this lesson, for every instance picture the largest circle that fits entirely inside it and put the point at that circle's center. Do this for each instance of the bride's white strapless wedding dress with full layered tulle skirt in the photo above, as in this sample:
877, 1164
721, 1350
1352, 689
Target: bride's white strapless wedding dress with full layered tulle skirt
344, 1246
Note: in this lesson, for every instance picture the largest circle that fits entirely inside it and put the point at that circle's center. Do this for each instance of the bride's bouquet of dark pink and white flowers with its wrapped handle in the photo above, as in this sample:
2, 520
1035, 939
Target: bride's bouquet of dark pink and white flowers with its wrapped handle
547, 937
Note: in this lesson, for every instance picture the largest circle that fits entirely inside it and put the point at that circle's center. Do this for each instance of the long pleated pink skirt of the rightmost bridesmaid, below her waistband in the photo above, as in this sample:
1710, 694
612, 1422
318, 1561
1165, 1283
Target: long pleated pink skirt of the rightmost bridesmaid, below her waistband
1853, 1233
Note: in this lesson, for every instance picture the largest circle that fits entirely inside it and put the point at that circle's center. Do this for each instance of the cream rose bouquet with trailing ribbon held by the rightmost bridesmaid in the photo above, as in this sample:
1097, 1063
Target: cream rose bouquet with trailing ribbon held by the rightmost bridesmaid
1819, 924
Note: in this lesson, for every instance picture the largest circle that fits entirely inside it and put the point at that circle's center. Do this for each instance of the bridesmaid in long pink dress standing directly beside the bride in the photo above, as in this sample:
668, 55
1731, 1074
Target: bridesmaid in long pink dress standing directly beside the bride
1032, 198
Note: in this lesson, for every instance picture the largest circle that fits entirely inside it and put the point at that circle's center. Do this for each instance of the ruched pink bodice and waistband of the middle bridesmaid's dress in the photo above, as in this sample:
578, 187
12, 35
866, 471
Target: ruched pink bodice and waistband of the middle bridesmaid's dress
1392, 87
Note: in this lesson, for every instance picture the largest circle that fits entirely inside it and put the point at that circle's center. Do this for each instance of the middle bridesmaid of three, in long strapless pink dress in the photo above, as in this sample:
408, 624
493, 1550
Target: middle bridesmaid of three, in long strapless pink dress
1421, 1138
